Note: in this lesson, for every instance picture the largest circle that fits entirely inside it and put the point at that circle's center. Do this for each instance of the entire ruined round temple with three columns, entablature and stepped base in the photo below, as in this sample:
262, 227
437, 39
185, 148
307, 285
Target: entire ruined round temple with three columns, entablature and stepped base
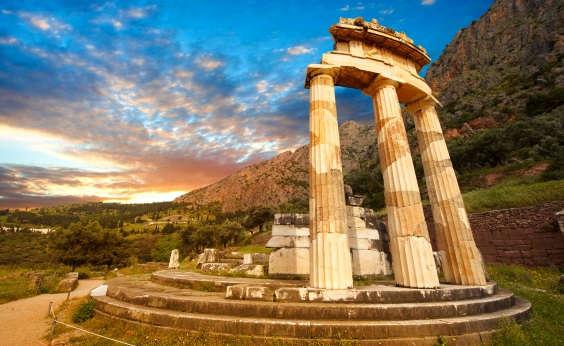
338, 241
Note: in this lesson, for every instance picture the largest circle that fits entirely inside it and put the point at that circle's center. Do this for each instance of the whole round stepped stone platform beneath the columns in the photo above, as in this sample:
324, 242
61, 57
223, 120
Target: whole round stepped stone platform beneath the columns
385, 315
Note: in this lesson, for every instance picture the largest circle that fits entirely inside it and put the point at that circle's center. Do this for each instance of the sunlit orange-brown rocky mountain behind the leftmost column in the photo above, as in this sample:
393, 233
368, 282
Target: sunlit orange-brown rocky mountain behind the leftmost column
284, 178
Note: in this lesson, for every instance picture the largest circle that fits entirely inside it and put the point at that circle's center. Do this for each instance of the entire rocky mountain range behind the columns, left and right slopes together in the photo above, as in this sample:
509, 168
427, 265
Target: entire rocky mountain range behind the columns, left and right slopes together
501, 81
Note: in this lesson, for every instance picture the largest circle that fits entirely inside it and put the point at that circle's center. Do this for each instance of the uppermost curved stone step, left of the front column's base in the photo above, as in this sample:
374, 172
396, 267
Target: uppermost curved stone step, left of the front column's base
213, 283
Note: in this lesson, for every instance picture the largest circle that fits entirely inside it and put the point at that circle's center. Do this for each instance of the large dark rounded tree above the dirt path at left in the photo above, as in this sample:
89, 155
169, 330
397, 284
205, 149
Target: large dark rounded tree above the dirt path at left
91, 244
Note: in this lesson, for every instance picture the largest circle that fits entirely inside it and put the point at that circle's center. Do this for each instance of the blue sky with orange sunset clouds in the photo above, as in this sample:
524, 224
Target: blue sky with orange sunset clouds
142, 101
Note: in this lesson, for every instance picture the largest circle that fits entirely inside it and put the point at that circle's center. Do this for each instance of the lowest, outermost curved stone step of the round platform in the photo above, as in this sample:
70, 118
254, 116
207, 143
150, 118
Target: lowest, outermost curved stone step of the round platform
302, 328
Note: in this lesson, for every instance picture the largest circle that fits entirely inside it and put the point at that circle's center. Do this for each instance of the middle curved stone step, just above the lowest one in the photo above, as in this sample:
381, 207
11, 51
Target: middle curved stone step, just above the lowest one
153, 295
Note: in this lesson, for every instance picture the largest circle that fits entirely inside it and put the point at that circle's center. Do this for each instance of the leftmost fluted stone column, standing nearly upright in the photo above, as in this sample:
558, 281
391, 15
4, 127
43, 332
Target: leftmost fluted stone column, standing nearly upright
330, 256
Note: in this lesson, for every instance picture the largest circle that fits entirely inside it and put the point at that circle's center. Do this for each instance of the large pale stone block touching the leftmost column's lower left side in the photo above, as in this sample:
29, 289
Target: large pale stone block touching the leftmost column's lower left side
289, 261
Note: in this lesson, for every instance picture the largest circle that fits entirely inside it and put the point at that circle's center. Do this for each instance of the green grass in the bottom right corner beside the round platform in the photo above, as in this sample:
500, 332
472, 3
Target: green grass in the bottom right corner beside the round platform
542, 288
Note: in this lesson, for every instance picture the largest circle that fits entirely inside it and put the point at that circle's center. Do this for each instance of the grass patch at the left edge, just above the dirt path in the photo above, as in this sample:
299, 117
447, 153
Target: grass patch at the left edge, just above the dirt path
17, 283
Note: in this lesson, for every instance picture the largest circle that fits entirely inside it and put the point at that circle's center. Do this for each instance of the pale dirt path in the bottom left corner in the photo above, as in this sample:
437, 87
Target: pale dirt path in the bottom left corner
24, 322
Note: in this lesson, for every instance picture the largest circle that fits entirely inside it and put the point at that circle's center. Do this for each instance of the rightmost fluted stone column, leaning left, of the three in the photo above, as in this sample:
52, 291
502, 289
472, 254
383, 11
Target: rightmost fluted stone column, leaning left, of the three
462, 261
